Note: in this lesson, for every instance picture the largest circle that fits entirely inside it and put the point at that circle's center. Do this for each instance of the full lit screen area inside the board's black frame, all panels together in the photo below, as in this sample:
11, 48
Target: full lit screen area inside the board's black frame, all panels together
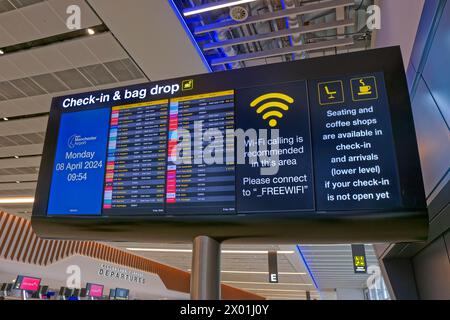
317, 145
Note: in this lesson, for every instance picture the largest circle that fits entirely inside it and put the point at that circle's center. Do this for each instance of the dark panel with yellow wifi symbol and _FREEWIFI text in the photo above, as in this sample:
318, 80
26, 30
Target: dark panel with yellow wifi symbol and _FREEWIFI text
277, 173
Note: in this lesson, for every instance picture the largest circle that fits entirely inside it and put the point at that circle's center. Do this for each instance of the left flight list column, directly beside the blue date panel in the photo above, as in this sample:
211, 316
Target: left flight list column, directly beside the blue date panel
135, 168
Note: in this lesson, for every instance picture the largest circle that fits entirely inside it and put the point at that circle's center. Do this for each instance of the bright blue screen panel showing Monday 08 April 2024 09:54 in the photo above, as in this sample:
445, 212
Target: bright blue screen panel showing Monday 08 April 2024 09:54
84, 195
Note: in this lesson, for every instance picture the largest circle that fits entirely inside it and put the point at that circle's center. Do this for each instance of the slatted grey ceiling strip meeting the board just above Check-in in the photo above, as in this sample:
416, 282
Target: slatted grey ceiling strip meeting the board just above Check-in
71, 79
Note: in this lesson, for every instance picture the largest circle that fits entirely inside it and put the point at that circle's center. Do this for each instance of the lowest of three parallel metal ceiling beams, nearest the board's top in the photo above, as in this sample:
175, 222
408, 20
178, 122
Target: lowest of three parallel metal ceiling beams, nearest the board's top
282, 51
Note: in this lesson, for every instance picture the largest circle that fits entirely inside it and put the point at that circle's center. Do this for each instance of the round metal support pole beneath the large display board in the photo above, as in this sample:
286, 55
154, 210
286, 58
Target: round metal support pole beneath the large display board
205, 274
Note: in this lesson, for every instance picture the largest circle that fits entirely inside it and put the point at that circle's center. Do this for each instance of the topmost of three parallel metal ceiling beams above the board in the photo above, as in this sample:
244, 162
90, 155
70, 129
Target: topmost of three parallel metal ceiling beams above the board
275, 15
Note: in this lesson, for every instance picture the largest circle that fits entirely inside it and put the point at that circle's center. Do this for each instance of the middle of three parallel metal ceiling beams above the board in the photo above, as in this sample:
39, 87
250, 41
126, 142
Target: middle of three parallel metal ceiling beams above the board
278, 34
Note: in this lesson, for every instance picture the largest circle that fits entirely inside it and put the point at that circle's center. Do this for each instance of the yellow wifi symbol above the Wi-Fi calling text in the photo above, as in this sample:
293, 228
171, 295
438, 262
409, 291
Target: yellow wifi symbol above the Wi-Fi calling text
272, 114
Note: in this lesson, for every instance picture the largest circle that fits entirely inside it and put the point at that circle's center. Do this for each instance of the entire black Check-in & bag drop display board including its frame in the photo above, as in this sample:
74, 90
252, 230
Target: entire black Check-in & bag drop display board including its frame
286, 145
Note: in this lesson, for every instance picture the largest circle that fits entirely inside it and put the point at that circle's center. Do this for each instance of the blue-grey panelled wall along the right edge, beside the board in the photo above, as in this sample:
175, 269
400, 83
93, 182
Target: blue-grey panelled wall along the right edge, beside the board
429, 77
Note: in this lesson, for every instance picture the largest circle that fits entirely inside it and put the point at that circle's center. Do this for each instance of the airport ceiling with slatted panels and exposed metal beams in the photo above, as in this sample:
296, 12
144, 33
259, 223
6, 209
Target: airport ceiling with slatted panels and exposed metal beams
136, 41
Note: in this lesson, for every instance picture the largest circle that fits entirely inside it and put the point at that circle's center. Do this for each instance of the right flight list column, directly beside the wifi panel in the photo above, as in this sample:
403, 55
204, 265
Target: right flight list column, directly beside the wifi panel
198, 180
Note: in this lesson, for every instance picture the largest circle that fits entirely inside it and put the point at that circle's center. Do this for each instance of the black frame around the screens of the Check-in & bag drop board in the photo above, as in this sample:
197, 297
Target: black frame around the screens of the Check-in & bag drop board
408, 223
